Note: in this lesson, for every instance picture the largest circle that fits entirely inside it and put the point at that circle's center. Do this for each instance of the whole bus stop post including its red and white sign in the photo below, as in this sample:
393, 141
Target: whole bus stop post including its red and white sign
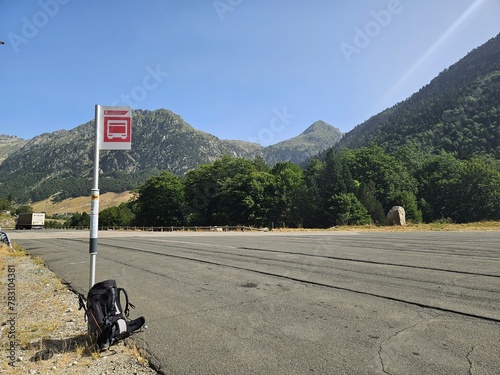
113, 131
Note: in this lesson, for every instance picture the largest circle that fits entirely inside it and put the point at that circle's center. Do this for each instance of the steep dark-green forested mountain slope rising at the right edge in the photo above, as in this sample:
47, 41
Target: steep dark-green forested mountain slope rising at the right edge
458, 111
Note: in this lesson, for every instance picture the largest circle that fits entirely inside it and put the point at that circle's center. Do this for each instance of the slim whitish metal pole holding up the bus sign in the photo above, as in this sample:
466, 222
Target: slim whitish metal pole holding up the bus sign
94, 202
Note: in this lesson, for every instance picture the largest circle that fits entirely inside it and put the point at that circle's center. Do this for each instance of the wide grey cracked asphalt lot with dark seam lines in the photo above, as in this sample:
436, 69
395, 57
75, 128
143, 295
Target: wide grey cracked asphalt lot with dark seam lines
300, 303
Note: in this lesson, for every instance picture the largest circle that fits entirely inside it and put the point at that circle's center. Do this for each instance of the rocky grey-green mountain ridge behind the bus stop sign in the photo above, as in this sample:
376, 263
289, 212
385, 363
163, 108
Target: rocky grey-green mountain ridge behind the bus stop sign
61, 162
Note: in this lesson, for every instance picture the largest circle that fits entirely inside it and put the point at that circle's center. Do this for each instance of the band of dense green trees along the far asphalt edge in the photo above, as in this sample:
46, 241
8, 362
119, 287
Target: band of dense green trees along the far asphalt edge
343, 187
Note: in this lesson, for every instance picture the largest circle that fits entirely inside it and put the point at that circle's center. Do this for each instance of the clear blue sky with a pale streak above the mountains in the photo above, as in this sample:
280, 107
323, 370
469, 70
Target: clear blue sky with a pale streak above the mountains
253, 70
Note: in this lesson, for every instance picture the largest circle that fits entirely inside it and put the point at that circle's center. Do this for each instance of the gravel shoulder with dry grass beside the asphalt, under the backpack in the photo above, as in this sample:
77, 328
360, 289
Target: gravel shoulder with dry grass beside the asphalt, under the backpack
43, 332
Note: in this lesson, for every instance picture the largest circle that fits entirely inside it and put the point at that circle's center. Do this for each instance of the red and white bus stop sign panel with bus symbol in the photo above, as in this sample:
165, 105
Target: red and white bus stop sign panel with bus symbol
115, 128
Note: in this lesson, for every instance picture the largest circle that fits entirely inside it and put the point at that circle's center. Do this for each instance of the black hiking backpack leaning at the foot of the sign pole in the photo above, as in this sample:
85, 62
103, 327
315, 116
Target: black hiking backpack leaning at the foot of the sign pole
107, 321
